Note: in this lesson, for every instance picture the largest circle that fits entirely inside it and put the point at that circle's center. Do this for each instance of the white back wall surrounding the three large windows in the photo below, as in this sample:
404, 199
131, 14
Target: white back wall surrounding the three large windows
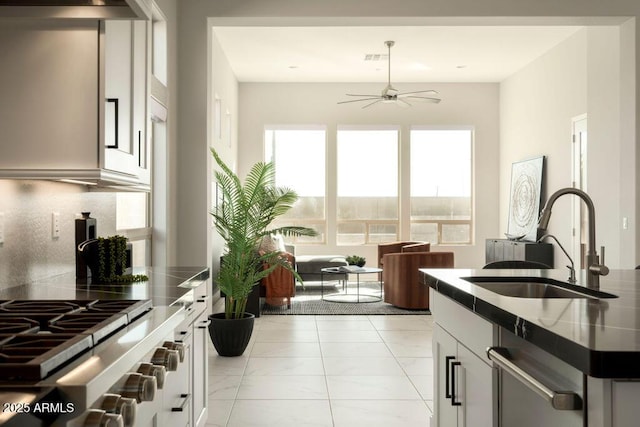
462, 105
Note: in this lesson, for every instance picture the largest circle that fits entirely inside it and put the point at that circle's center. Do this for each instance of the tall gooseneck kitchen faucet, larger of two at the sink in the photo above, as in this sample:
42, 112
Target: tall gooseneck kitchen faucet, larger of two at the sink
594, 268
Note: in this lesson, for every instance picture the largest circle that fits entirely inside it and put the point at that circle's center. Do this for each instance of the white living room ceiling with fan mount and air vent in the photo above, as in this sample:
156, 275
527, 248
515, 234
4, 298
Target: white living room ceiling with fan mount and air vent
420, 54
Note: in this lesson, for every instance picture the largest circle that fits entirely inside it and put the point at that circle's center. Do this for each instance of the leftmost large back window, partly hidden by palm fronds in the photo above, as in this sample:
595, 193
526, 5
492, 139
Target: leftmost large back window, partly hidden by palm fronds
299, 158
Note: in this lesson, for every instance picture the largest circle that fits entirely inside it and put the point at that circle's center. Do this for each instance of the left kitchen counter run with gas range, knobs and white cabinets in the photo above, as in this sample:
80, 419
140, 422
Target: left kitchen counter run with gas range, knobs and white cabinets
127, 354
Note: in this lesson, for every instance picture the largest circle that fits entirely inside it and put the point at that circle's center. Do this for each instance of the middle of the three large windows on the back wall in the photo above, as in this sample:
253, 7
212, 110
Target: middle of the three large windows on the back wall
367, 197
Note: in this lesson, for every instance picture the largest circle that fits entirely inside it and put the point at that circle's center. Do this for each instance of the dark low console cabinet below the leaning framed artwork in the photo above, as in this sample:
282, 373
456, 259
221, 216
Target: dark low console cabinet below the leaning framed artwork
505, 250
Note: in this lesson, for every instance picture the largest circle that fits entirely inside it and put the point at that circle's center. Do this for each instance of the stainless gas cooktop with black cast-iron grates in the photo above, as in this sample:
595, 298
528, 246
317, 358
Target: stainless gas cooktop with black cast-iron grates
38, 337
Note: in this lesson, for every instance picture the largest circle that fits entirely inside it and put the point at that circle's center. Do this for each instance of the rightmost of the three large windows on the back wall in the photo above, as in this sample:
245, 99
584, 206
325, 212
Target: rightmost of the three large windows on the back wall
441, 205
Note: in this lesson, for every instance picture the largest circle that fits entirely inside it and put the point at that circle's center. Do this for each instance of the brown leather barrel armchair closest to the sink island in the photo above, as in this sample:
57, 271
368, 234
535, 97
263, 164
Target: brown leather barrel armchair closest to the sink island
402, 285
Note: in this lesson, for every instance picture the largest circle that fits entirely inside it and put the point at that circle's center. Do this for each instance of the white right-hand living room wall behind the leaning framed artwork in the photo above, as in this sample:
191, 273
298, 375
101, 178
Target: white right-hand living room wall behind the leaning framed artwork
536, 108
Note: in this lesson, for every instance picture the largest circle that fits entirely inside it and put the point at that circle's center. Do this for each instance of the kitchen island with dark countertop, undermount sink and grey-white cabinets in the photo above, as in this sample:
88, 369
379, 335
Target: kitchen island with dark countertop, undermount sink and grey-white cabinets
588, 345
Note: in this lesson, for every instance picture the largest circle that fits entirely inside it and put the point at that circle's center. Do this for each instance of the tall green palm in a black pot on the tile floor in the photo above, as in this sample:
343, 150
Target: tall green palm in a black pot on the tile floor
243, 218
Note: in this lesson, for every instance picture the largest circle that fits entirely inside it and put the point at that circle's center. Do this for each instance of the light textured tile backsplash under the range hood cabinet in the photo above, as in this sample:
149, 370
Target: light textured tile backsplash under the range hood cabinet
29, 251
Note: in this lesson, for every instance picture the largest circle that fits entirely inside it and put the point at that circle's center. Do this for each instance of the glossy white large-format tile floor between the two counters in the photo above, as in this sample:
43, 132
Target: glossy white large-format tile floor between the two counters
326, 371
